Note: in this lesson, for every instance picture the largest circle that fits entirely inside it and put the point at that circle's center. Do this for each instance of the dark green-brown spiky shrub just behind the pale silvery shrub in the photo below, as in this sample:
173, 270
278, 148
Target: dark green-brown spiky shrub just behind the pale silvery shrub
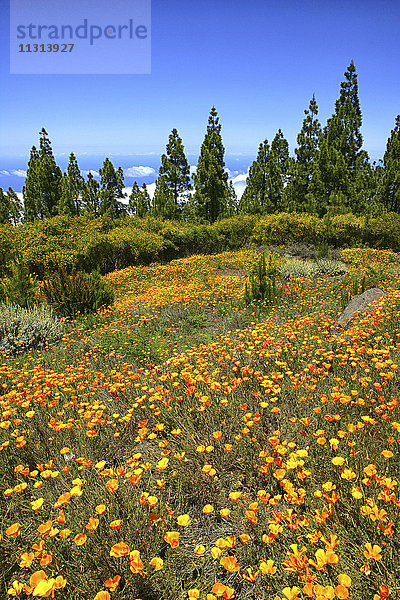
77, 293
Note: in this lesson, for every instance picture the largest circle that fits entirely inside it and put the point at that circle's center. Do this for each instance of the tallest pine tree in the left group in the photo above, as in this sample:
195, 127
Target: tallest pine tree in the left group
42, 186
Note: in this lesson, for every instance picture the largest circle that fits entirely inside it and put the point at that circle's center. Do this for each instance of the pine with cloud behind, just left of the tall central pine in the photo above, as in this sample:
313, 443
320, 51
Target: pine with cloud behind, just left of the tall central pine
175, 167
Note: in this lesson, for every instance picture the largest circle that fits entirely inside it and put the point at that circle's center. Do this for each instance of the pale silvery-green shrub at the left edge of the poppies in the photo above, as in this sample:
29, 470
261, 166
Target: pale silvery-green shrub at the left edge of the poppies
23, 328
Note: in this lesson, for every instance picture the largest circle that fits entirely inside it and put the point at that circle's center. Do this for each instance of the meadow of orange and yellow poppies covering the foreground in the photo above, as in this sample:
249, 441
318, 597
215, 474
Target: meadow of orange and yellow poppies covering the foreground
183, 445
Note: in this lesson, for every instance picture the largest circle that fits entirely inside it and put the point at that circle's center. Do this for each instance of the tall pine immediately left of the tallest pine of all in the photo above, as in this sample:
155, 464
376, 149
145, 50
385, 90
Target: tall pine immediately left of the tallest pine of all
296, 193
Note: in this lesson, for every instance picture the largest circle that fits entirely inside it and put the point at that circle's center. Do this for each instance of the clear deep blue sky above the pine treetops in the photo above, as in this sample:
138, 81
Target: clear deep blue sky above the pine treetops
257, 61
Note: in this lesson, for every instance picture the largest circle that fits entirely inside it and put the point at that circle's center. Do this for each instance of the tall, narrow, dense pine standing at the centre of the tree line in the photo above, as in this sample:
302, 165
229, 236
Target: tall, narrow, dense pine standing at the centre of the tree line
210, 179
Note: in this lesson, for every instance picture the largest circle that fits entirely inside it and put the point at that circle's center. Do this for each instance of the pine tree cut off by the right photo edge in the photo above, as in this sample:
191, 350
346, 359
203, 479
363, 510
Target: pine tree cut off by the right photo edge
389, 188
